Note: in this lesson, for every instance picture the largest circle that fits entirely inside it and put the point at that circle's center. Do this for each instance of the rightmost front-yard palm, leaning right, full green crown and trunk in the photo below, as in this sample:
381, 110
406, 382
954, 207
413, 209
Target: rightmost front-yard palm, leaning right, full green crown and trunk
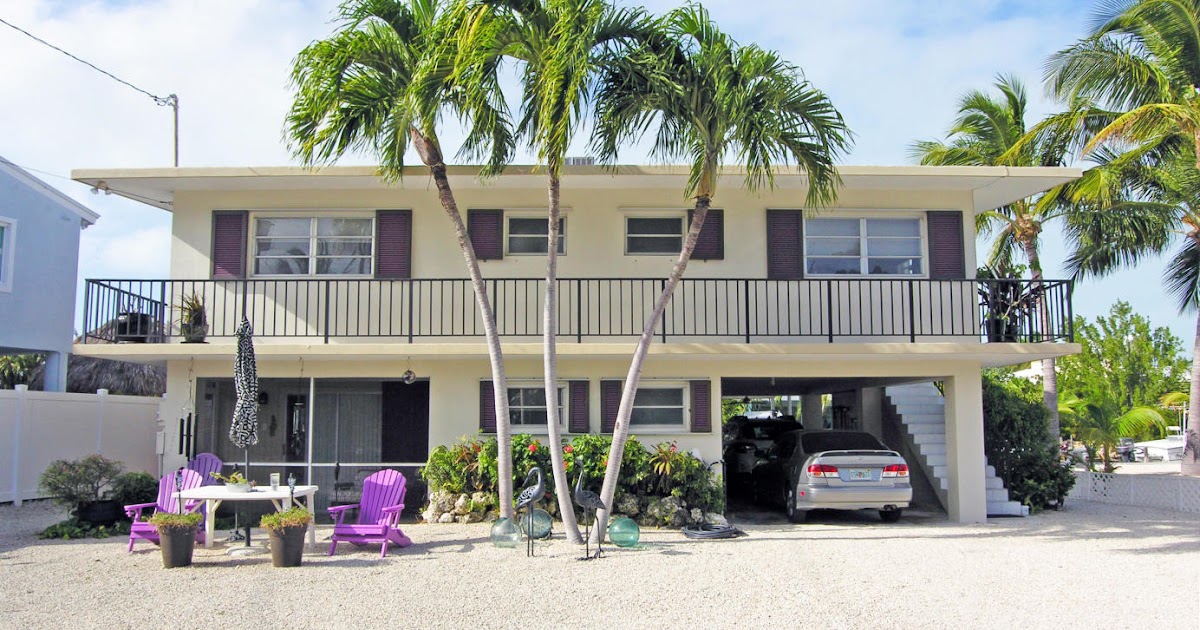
711, 100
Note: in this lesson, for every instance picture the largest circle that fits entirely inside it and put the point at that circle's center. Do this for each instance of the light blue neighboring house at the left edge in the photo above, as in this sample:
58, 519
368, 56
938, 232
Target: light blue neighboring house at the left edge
39, 263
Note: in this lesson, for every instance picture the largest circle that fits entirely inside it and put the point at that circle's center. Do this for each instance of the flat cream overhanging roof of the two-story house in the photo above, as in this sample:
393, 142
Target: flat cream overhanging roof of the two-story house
991, 187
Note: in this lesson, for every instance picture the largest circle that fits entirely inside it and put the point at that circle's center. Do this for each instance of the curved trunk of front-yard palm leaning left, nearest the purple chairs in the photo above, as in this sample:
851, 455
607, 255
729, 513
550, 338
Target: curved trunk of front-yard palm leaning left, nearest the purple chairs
433, 158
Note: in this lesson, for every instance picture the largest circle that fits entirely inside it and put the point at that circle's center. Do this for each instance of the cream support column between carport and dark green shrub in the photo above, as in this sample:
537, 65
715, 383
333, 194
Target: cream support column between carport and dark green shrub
968, 496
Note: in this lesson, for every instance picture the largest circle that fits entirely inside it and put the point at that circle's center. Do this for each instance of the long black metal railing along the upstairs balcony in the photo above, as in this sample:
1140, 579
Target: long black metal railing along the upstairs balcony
746, 310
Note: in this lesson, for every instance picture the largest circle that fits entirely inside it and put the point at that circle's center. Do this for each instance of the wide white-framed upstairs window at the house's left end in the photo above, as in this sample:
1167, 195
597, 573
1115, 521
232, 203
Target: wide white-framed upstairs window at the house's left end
314, 247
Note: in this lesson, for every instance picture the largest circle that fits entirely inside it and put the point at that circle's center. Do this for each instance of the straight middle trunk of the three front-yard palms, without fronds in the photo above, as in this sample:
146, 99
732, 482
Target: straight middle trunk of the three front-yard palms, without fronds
550, 351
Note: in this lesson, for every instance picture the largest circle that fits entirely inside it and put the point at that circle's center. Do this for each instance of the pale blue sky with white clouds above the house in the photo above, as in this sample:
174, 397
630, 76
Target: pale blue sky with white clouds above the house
895, 69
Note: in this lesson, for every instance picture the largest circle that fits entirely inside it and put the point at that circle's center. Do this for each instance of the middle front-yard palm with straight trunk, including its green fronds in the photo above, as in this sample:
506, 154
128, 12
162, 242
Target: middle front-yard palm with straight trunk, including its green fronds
561, 46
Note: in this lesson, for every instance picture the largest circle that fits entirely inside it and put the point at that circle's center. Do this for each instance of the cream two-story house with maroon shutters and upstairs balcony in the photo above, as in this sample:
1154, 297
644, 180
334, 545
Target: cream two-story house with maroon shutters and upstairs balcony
350, 283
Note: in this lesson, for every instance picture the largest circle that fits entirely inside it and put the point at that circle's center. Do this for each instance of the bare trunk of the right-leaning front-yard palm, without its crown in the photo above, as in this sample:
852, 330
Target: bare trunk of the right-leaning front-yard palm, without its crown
621, 433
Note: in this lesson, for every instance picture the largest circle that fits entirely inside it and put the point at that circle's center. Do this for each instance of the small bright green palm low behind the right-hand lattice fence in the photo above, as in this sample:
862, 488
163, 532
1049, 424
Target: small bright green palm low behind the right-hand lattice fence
1099, 423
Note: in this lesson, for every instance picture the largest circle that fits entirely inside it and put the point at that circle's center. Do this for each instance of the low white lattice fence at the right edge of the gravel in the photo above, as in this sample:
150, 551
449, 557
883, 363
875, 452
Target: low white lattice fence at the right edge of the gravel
1179, 494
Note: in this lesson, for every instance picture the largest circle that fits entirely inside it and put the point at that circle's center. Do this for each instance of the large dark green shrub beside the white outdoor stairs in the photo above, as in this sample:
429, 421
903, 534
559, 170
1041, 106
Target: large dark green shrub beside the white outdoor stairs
1017, 442
